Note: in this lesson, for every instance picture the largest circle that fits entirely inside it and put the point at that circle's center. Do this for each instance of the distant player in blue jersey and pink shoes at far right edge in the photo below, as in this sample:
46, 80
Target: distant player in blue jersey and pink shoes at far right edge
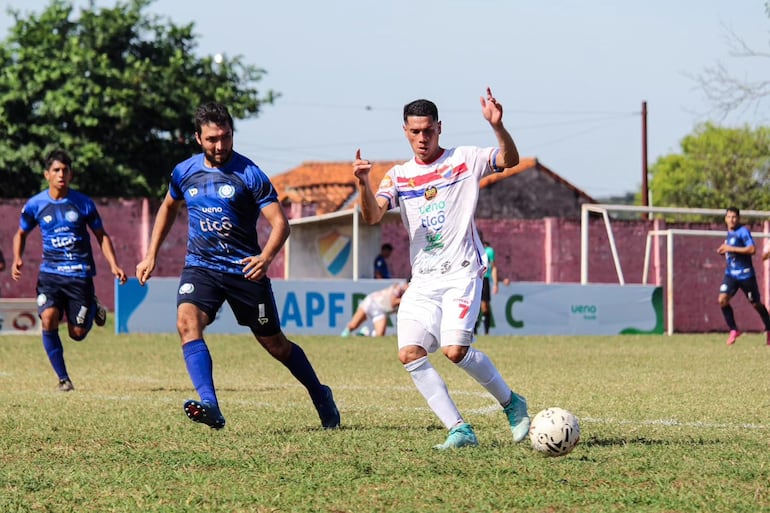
738, 249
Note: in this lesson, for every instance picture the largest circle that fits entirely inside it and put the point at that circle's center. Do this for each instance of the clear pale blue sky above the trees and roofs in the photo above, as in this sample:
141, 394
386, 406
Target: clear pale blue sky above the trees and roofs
571, 75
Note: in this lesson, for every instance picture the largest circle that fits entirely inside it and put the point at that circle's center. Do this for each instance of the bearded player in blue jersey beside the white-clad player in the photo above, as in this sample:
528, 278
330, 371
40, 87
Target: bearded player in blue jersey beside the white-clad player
225, 194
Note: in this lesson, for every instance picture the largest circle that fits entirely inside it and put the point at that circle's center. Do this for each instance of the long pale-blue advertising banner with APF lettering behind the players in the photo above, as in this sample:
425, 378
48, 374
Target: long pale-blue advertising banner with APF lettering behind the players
323, 307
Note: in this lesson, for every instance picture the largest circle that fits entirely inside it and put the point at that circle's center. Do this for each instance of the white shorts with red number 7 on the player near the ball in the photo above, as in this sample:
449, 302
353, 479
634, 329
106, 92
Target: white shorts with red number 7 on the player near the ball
439, 314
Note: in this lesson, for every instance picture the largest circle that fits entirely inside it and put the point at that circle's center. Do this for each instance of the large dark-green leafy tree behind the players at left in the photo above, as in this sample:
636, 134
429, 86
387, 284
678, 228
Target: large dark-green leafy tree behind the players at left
117, 88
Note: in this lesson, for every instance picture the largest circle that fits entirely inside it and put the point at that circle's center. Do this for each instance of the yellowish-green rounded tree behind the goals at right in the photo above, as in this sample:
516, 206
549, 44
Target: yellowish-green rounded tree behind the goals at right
718, 167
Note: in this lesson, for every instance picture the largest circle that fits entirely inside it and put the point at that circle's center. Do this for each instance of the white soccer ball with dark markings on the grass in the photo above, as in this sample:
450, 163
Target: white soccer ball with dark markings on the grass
554, 432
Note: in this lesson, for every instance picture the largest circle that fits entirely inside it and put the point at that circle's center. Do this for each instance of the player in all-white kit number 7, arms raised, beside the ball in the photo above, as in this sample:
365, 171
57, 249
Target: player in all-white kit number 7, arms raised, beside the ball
437, 191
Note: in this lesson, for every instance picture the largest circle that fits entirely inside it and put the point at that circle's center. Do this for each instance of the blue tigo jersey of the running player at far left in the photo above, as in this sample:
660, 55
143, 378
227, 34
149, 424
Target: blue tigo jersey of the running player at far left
63, 226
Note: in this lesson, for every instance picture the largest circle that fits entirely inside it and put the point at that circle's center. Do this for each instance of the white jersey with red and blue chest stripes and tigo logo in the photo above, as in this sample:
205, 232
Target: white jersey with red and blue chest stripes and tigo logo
438, 202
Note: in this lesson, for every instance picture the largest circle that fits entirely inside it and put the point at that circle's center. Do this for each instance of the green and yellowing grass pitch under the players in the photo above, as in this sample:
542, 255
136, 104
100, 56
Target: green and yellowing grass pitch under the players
669, 424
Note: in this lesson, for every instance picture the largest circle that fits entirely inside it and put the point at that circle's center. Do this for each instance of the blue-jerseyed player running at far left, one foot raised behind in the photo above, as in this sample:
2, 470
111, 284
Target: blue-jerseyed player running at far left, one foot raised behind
65, 280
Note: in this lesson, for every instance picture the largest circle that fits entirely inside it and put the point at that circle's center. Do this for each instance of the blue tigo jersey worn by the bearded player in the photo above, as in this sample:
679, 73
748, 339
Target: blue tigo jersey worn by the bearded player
223, 207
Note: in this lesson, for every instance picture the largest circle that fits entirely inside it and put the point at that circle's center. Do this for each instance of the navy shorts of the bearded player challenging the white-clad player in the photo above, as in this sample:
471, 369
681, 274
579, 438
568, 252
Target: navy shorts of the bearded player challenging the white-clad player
252, 302
